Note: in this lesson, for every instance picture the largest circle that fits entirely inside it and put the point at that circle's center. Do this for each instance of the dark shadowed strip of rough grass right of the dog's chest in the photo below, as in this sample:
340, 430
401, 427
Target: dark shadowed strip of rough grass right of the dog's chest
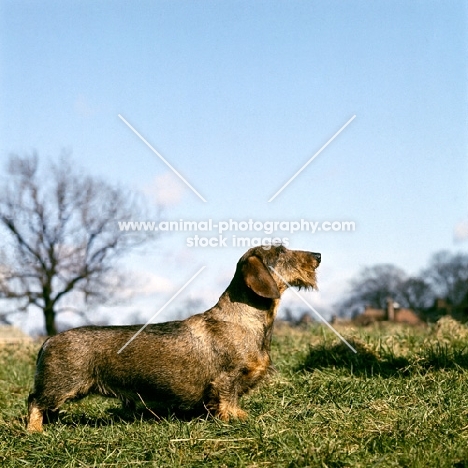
385, 362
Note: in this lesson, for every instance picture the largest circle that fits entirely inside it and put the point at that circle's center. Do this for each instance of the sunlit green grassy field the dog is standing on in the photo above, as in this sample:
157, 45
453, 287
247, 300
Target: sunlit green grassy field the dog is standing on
401, 401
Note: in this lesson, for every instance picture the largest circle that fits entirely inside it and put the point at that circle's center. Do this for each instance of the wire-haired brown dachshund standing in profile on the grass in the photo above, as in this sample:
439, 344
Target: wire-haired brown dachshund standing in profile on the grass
204, 362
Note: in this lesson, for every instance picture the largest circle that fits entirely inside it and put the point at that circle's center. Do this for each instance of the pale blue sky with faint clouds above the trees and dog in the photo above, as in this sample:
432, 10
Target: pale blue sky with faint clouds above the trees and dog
238, 95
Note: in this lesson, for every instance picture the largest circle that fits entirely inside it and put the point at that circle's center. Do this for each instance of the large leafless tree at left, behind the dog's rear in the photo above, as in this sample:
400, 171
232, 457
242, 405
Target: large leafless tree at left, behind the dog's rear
61, 237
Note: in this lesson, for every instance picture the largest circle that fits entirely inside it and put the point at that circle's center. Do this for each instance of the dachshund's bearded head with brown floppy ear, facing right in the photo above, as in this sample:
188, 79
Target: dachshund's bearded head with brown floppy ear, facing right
270, 270
